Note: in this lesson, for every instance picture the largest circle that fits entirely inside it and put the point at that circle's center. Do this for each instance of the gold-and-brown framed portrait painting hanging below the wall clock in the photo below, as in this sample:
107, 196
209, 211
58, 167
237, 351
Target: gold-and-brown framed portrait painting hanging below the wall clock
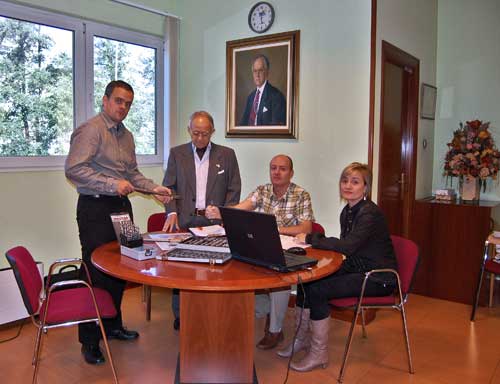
262, 86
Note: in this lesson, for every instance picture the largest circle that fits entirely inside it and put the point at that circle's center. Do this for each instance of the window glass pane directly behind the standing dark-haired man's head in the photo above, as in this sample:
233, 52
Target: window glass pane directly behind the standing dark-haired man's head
135, 64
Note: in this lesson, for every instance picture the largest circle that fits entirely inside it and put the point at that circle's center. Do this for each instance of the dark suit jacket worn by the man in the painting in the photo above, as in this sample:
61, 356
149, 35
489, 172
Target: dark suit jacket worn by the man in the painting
272, 107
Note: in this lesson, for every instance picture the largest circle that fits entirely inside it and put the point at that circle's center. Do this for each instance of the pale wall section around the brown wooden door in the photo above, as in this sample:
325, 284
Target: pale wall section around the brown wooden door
410, 25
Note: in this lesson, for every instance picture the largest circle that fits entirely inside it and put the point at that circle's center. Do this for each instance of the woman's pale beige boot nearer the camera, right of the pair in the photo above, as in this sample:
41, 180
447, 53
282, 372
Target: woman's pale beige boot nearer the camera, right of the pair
318, 354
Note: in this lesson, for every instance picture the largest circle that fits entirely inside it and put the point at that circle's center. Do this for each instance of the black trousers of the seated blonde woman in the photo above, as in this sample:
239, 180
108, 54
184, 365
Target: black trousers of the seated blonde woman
340, 284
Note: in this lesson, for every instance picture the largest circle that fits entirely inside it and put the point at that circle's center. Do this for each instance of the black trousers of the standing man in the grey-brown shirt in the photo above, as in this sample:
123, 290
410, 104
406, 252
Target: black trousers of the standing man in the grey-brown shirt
95, 229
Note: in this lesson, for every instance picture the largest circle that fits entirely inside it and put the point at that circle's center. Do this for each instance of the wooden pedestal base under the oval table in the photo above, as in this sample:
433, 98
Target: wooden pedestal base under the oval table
217, 337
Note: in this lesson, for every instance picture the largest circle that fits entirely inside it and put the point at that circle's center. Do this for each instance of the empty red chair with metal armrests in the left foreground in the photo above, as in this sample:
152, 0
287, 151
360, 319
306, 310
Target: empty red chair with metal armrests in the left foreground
77, 303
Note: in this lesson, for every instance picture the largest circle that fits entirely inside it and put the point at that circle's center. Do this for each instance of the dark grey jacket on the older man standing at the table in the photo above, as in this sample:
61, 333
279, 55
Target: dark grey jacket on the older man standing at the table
223, 182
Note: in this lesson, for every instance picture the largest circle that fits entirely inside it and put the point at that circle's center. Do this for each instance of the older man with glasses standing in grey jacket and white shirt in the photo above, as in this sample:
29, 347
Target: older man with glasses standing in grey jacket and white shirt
202, 173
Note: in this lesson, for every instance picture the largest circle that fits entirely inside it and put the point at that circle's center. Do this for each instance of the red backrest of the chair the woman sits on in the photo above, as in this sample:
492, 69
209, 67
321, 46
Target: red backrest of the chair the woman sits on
407, 256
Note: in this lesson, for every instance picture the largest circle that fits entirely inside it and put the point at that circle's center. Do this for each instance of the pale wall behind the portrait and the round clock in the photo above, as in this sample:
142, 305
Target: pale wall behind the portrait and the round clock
334, 89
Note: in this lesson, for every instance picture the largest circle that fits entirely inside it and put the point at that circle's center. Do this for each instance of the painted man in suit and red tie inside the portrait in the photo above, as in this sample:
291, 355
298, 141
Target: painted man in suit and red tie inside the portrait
265, 105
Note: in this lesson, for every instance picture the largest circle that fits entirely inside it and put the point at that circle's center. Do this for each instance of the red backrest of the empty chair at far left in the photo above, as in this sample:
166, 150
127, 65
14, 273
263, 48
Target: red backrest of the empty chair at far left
27, 276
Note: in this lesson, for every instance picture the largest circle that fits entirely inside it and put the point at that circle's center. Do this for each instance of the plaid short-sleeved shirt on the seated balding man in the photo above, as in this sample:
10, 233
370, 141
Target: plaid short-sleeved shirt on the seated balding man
293, 208
